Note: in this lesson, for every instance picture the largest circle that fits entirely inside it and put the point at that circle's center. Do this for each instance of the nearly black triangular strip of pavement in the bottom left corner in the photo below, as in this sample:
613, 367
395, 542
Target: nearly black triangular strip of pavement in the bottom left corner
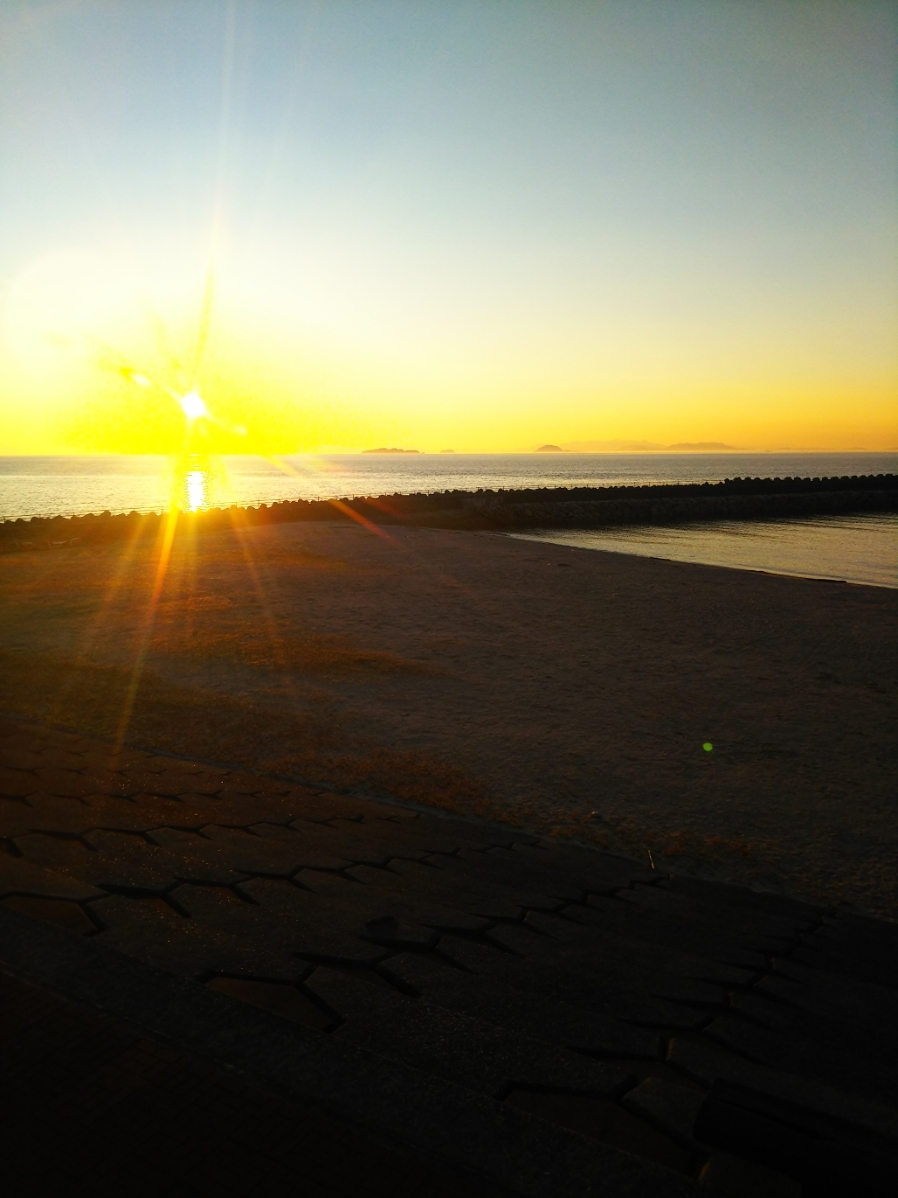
92, 1108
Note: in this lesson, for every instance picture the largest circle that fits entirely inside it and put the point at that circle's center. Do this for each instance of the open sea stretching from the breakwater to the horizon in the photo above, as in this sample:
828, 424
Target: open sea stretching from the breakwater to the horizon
46, 487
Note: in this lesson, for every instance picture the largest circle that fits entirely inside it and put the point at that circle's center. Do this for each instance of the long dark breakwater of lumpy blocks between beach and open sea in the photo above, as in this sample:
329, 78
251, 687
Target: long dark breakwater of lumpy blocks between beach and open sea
578, 507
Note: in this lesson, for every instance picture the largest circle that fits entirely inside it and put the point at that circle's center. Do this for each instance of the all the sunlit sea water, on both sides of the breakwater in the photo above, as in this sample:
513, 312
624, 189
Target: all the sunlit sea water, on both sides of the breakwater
854, 549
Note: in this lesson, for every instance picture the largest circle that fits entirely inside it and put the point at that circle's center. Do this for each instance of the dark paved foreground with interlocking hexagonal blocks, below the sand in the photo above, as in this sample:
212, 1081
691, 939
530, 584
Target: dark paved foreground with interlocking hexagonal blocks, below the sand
222, 983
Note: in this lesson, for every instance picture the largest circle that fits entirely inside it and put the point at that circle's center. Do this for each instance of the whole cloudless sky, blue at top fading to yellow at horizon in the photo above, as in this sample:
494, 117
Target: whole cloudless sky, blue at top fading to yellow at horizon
476, 226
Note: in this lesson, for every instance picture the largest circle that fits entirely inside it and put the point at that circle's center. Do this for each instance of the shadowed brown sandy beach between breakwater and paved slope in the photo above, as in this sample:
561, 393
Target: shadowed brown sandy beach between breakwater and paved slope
565, 691
